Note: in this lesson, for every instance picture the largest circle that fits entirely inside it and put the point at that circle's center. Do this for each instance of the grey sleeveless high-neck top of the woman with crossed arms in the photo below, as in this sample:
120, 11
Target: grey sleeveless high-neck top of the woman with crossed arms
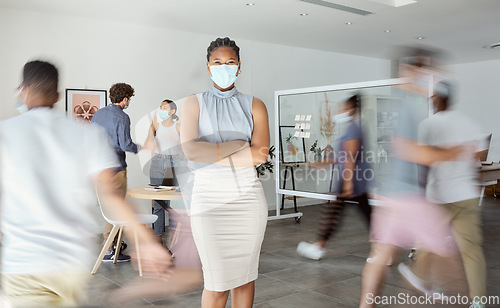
224, 116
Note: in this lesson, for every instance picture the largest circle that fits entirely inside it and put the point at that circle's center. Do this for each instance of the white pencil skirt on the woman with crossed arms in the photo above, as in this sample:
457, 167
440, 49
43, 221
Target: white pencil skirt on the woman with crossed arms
228, 220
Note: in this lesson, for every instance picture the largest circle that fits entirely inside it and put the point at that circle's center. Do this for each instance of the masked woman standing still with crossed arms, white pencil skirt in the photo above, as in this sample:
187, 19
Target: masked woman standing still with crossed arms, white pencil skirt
224, 134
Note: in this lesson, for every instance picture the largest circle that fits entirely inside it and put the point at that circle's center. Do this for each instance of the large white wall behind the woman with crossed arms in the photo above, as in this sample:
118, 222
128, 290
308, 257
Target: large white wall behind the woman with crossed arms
159, 63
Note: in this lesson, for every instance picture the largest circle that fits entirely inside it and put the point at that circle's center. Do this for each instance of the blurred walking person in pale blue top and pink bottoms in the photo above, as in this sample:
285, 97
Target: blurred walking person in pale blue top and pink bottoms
405, 216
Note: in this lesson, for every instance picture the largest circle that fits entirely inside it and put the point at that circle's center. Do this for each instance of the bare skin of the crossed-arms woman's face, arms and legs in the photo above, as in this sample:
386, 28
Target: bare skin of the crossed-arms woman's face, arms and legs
237, 153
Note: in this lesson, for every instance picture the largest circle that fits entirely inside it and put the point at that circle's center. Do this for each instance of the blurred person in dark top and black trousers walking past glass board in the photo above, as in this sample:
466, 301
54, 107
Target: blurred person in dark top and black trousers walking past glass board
353, 180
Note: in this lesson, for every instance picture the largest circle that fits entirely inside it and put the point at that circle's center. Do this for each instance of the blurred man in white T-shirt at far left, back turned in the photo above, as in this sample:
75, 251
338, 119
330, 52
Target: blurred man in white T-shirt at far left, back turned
49, 167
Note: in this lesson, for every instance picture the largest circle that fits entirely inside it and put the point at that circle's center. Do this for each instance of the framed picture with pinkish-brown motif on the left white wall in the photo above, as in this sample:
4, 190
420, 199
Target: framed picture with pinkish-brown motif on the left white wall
81, 104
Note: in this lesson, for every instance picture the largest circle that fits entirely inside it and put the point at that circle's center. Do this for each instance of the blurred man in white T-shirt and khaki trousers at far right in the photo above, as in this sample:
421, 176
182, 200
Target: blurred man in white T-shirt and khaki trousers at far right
454, 185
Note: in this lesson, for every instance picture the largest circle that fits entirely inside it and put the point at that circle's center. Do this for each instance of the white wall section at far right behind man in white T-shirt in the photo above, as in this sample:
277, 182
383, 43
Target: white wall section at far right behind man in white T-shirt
479, 97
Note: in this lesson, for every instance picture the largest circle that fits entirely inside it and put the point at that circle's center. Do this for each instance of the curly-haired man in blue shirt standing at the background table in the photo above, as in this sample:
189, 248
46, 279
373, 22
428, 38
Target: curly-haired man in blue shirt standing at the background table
117, 125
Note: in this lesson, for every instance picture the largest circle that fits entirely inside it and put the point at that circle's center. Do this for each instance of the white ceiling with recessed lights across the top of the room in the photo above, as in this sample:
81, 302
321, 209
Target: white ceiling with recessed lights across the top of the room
461, 27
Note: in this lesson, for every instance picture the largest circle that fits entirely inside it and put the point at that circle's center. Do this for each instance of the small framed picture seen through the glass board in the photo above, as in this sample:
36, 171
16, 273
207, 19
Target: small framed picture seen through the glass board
292, 145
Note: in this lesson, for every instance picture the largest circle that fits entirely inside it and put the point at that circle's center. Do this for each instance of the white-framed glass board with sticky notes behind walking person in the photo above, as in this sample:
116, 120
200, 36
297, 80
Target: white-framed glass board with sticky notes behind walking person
308, 137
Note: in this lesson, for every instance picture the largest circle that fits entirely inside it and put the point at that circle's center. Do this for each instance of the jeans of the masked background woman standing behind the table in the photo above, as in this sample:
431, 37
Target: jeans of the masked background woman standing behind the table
161, 172
